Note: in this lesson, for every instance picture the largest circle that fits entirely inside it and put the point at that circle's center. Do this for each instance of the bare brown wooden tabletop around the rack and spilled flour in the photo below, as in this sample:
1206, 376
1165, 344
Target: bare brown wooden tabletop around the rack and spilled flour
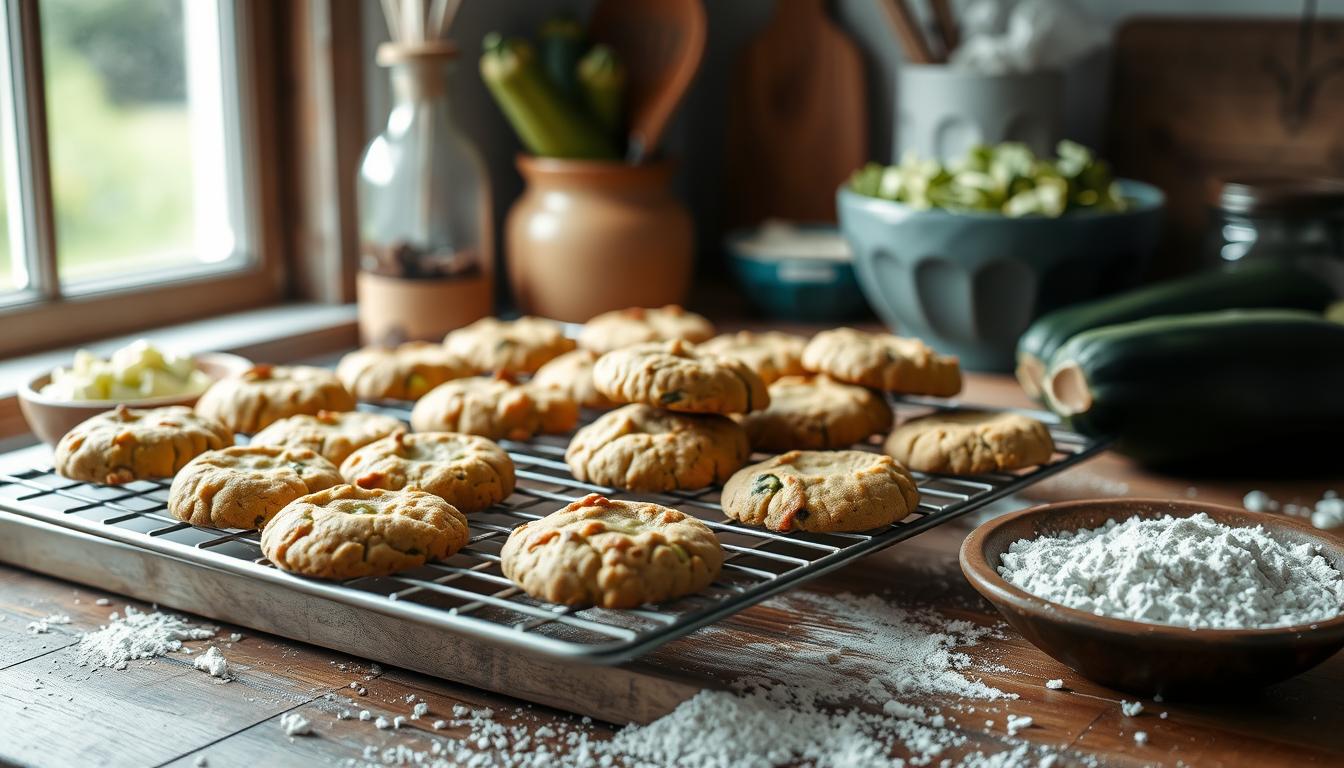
57, 714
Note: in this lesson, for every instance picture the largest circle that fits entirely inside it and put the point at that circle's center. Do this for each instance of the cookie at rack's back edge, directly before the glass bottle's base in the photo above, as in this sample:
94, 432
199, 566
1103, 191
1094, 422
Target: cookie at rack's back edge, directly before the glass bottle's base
403, 373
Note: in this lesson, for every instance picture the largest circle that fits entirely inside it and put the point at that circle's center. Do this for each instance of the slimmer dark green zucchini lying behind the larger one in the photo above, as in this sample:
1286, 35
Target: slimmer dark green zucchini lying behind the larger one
1249, 287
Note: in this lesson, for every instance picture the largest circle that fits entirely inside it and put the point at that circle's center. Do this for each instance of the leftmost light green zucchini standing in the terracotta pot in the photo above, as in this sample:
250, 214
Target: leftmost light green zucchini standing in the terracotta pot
548, 124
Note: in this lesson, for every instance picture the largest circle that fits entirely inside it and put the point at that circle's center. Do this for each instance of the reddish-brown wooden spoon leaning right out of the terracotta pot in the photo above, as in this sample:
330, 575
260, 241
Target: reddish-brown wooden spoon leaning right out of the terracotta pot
661, 42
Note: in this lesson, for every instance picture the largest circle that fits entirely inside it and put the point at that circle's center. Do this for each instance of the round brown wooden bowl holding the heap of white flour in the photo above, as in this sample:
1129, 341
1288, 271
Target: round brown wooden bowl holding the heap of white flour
1139, 657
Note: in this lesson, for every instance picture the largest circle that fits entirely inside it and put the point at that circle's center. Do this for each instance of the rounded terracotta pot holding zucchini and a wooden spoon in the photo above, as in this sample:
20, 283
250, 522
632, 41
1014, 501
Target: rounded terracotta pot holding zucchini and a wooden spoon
588, 237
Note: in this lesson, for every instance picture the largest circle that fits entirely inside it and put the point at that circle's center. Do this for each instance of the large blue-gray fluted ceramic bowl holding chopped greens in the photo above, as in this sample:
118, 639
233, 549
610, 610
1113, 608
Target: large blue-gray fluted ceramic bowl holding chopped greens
971, 283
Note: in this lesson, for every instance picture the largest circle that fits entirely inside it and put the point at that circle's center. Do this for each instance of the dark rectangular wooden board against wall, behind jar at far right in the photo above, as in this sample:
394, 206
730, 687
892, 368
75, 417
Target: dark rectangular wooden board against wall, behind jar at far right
1201, 100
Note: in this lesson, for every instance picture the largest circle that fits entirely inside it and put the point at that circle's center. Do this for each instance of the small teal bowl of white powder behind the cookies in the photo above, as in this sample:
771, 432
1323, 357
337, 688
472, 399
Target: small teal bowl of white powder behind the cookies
810, 290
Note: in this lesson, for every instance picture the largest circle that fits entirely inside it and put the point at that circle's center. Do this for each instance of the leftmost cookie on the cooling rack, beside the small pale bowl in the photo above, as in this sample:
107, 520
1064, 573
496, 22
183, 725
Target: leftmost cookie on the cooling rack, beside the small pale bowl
128, 445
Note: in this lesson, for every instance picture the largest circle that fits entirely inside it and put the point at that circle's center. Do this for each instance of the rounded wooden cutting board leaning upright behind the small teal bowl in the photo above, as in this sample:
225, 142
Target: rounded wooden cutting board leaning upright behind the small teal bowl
798, 119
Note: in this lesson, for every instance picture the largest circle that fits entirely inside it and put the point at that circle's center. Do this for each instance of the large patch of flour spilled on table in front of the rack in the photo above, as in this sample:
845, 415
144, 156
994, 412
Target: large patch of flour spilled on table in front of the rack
849, 691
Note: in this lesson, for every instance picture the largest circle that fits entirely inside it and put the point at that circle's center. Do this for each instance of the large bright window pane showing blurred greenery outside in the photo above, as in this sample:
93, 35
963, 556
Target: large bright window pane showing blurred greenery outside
135, 115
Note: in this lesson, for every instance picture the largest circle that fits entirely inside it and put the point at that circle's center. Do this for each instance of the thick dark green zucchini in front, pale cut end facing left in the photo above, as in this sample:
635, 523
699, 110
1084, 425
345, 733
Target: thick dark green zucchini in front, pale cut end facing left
1232, 389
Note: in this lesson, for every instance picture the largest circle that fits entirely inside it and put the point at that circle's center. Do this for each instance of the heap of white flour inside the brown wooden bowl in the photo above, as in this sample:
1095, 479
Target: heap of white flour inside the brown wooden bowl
1191, 572
